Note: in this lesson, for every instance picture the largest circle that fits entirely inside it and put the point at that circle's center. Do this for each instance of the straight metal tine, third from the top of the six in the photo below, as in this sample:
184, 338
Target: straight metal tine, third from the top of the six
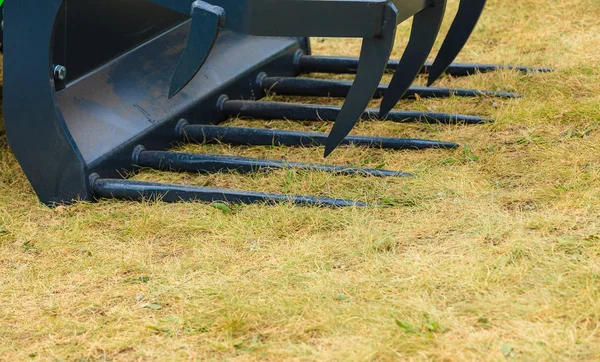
314, 112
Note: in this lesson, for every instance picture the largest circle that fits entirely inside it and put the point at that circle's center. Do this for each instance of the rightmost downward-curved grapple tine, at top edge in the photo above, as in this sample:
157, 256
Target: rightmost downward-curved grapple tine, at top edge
466, 19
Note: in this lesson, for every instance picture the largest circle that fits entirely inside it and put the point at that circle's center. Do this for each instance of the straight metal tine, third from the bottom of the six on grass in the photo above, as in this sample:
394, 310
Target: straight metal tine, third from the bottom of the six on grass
270, 137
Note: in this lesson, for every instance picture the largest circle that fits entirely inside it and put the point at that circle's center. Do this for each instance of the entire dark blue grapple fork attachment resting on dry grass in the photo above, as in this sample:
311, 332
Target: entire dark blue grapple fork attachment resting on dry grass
94, 89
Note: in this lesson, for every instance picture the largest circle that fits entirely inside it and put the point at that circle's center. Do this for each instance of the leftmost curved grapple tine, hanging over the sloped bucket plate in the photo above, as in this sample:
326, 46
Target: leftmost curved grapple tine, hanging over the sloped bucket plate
204, 29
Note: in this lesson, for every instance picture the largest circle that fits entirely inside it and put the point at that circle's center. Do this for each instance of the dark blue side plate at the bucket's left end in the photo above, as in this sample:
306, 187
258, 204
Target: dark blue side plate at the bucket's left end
35, 127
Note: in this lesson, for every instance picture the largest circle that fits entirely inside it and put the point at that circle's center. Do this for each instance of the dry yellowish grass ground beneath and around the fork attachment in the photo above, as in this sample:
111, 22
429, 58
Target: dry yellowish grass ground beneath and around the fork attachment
491, 252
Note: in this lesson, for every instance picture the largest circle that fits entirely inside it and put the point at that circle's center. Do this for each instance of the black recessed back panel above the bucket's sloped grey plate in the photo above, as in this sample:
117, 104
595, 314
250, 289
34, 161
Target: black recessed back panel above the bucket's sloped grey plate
94, 32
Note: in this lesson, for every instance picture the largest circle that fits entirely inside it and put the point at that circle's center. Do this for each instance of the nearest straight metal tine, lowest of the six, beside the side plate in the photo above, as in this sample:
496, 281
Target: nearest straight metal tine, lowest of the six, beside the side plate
141, 190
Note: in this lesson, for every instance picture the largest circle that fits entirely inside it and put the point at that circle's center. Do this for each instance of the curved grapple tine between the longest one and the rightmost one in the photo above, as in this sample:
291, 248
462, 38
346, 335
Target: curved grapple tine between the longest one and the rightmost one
425, 29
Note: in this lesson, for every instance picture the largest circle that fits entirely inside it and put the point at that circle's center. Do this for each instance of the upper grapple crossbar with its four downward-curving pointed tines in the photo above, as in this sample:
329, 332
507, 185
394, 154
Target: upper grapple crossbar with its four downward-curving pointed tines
348, 19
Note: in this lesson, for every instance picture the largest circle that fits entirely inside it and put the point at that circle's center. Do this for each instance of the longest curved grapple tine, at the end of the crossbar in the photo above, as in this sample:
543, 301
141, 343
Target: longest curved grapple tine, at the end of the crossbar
374, 56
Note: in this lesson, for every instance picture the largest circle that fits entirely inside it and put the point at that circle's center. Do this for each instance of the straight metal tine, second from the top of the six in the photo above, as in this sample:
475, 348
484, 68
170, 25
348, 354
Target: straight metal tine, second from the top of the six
311, 87
